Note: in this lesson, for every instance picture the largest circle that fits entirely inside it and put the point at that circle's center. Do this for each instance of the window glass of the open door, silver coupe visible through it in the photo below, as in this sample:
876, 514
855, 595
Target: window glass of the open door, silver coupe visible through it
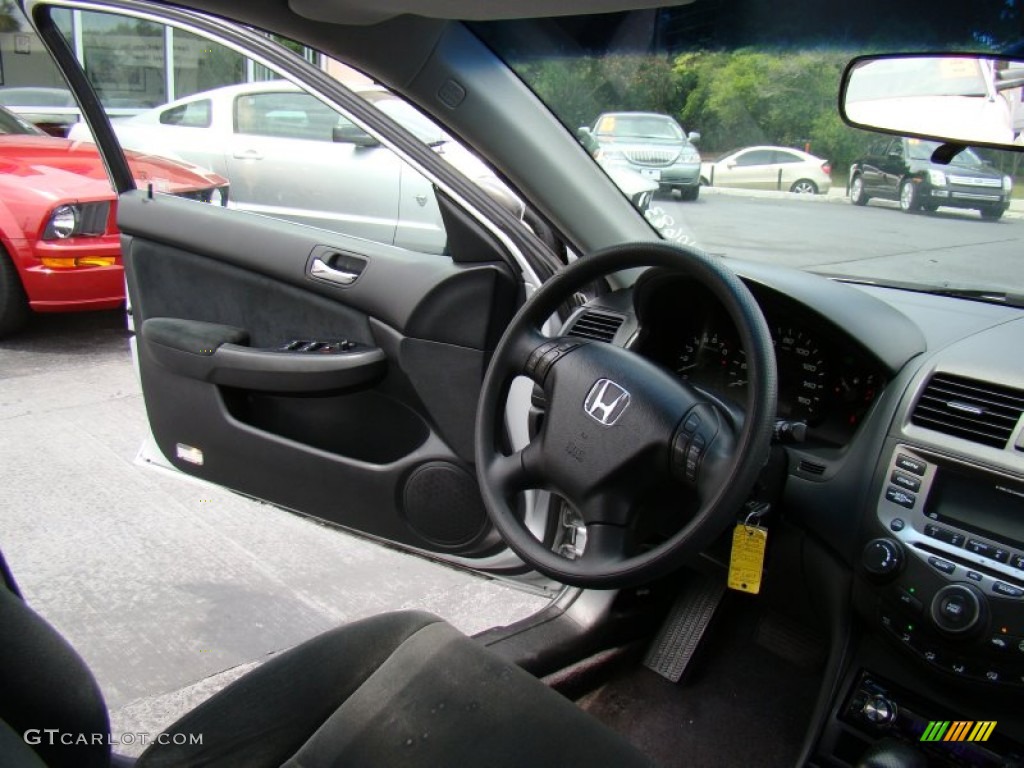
285, 153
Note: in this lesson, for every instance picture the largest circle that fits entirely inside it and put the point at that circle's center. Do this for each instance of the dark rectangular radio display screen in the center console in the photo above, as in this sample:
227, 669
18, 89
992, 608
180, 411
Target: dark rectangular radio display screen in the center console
984, 504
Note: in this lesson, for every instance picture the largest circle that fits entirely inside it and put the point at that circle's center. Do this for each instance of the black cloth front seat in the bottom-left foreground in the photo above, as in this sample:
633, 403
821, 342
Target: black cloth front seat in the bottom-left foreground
397, 690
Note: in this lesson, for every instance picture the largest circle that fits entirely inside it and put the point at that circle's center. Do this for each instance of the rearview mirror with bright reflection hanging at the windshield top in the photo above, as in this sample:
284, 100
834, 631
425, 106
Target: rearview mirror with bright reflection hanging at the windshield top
958, 99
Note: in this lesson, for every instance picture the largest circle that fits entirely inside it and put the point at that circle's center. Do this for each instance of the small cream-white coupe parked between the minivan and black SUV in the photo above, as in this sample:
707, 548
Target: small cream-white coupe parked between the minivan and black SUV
779, 168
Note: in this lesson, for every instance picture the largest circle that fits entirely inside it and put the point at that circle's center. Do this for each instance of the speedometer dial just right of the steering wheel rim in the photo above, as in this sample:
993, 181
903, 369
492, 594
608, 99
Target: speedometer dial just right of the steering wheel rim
802, 375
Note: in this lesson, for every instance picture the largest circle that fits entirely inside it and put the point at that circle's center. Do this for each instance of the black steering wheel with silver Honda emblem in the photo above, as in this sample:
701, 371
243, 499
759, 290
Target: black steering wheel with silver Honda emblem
617, 425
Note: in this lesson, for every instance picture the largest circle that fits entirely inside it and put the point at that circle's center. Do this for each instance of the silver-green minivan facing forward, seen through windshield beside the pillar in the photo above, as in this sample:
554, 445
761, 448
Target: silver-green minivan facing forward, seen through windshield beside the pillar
651, 145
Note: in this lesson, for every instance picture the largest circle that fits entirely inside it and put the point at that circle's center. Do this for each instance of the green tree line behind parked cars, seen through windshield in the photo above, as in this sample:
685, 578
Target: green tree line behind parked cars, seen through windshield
734, 100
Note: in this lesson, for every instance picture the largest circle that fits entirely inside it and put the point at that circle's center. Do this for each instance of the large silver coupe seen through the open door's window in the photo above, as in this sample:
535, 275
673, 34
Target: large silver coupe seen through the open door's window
290, 156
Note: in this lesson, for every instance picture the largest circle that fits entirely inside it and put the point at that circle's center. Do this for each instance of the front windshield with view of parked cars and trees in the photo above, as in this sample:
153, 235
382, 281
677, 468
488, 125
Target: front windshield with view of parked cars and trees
756, 74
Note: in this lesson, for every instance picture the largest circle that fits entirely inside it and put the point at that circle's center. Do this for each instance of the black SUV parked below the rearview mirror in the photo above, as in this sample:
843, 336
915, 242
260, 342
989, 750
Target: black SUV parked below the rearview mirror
902, 169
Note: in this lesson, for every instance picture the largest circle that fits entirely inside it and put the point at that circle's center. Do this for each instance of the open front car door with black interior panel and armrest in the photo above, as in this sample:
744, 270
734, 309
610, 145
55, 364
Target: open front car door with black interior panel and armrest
326, 373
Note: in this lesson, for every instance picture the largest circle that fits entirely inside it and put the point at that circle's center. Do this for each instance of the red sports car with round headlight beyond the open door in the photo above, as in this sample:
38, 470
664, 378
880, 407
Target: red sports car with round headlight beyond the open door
60, 247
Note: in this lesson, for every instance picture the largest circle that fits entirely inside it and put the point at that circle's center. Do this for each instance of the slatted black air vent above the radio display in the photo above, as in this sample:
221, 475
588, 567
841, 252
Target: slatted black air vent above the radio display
976, 411
